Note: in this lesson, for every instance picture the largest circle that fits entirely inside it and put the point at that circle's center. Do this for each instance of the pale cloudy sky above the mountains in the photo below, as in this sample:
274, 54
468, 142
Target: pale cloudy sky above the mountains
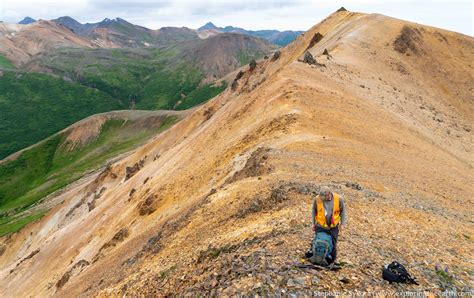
456, 15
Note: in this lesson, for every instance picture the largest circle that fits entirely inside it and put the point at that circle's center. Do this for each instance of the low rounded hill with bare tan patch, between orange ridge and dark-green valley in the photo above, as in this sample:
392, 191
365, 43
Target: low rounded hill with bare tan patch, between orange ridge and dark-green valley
35, 172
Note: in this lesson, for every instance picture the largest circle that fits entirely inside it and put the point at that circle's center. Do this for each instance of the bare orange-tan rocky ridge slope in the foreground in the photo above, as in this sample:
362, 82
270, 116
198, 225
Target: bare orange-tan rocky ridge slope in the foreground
221, 201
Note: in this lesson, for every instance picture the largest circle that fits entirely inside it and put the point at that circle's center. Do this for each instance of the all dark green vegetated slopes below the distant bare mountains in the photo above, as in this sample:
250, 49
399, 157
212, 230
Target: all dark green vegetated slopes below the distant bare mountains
87, 82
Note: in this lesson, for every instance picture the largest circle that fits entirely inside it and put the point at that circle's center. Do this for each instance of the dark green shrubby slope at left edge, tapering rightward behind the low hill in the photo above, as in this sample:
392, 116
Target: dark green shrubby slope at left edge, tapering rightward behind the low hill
35, 106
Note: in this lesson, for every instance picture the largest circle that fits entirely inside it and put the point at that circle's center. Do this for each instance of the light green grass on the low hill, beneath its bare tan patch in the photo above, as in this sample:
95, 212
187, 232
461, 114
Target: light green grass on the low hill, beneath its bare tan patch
50, 166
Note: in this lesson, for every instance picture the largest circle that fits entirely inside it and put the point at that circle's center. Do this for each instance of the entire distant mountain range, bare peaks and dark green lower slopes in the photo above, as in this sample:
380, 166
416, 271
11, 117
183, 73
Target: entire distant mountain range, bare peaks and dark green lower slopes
108, 65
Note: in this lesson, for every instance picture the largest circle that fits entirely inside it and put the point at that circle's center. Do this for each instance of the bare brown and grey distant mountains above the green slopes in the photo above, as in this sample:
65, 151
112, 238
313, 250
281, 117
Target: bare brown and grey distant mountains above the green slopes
27, 45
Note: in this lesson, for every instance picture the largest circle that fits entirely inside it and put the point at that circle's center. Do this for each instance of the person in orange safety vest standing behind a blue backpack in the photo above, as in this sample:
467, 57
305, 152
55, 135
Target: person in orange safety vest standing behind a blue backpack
329, 216
